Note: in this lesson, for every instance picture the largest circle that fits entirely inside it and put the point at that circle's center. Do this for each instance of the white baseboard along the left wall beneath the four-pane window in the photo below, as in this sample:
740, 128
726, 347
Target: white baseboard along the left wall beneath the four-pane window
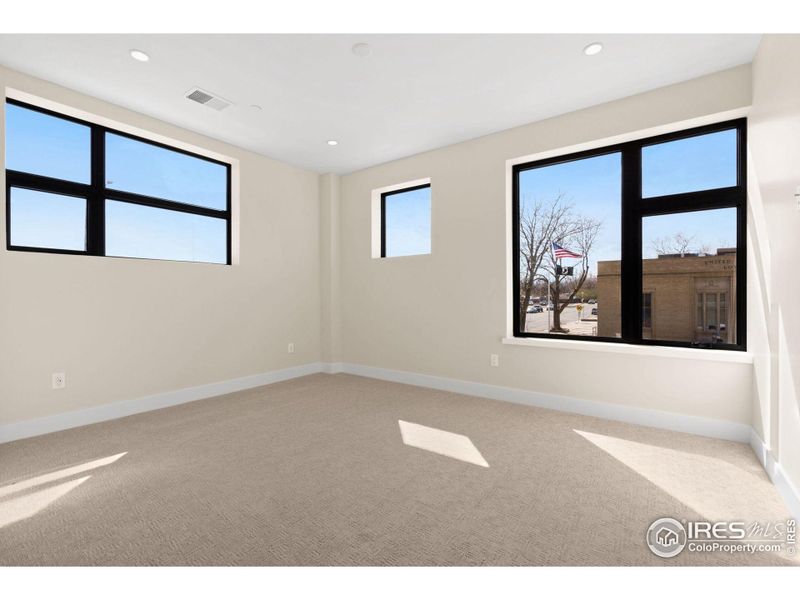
115, 410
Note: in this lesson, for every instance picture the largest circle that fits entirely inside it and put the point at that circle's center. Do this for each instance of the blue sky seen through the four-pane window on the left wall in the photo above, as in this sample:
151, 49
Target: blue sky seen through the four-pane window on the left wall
45, 145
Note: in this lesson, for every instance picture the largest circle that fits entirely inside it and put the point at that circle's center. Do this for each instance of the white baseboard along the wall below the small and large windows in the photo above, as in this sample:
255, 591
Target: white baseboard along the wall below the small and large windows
716, 428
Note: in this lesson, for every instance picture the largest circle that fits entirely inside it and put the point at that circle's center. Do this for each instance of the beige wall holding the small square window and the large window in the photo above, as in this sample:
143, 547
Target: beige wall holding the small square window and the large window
445, 313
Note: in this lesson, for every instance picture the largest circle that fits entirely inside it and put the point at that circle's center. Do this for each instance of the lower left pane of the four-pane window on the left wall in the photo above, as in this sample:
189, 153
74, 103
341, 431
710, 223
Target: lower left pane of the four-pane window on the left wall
43, 220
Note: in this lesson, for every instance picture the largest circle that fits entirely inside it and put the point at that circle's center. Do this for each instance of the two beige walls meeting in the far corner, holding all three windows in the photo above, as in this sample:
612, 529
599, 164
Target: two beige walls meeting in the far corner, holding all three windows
122, 329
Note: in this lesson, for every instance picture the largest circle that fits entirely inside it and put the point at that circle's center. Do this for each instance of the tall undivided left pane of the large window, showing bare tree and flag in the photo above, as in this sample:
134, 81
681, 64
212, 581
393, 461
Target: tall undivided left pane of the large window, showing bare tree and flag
577, 205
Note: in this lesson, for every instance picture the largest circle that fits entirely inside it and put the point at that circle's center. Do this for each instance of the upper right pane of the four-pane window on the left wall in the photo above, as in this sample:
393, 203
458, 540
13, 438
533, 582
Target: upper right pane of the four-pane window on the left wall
142, 168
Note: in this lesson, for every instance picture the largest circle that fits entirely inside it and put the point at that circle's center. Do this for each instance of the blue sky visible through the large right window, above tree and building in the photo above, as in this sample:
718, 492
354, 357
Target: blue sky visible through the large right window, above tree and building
593, 187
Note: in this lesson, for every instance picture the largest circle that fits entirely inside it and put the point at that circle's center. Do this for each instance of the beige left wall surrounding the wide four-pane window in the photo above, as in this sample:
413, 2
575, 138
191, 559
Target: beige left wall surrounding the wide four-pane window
122, 328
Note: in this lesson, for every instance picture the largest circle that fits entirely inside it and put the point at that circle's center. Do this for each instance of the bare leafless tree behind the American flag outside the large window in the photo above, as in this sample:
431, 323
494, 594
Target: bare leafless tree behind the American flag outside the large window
540, 225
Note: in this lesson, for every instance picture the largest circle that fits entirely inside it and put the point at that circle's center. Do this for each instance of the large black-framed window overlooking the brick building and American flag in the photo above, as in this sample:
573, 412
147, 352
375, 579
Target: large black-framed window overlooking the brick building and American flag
641, 242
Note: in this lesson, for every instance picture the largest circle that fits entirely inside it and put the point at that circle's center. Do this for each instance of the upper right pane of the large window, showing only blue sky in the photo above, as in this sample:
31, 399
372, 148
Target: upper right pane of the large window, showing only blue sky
692, 164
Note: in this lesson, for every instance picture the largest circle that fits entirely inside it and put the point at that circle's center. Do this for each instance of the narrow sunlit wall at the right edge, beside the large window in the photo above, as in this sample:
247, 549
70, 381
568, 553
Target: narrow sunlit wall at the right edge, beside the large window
774, 139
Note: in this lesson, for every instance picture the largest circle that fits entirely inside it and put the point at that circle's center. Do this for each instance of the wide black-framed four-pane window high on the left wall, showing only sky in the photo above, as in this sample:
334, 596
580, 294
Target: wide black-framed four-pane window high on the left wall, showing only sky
76, 187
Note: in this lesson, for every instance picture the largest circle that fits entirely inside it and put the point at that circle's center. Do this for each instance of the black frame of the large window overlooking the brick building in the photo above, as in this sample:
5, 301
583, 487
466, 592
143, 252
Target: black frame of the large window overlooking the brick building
635, 208
